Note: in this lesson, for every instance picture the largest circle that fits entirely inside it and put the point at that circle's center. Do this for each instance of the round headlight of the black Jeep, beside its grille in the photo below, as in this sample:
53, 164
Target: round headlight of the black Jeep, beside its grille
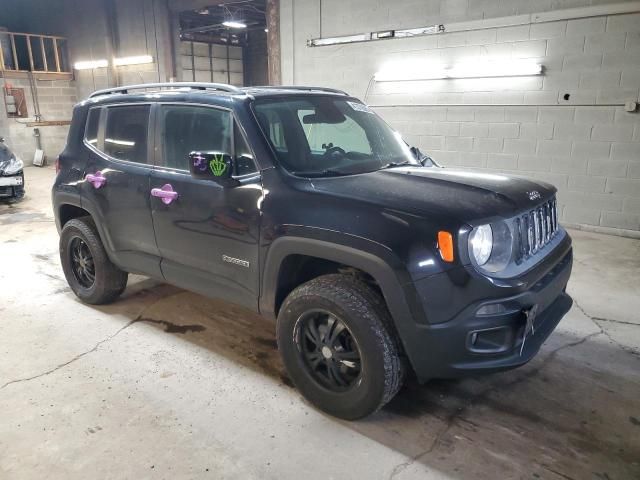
491, 246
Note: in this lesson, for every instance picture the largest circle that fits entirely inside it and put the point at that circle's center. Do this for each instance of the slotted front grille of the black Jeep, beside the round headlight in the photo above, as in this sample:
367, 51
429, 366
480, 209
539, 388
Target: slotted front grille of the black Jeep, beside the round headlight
535, 229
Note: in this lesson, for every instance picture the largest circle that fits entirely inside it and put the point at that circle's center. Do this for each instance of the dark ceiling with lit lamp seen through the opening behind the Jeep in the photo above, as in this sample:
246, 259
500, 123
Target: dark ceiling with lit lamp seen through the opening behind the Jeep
226, 23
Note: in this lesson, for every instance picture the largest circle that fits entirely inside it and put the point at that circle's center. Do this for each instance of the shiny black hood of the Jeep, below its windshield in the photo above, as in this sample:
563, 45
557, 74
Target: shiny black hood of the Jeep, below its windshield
442, 192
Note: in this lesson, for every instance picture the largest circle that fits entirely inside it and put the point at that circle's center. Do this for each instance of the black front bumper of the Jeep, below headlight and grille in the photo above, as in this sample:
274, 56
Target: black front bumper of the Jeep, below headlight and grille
487, 334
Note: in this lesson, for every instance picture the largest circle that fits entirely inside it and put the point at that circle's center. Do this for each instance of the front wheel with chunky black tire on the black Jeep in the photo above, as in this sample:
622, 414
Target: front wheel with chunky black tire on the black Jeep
337, 342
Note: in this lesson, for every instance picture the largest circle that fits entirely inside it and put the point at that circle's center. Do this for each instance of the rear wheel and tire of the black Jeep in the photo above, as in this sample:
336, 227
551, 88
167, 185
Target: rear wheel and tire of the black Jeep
87, 268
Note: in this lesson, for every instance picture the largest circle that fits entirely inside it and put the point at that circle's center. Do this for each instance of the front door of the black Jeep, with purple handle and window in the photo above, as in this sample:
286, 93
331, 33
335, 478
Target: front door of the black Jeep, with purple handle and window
207, 234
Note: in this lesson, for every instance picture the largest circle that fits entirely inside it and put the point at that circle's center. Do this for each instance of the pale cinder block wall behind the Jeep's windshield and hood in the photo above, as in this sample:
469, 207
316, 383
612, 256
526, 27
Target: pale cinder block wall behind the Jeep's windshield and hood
586, 144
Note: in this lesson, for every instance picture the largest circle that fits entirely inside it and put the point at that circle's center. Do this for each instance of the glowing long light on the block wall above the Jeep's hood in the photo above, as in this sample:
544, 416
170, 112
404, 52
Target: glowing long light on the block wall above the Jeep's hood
473, 69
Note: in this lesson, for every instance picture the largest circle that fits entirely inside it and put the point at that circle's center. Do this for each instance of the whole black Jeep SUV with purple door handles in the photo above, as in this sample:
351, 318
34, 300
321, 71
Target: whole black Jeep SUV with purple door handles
303, 205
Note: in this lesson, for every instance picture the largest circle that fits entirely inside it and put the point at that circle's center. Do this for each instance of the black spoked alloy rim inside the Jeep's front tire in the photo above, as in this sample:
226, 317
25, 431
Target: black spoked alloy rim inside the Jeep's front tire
329, 350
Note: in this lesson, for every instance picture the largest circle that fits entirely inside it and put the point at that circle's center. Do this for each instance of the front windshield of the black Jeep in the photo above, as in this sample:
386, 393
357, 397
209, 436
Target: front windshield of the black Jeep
327, 136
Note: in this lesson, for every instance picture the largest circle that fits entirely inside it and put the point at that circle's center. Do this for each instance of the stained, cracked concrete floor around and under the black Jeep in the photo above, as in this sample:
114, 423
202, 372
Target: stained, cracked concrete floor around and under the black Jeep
168, 384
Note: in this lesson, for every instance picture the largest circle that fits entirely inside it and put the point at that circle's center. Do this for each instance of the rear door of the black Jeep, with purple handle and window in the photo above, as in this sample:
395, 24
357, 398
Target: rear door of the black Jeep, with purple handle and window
115, 189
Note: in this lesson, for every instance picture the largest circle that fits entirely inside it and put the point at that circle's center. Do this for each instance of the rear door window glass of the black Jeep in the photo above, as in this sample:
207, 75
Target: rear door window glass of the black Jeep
126, 132
